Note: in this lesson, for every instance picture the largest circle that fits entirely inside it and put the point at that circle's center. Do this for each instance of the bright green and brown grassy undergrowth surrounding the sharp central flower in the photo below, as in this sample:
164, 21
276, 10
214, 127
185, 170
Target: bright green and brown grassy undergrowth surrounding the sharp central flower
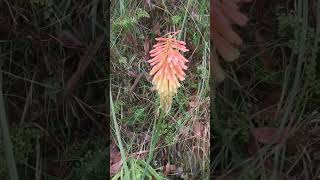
173, 144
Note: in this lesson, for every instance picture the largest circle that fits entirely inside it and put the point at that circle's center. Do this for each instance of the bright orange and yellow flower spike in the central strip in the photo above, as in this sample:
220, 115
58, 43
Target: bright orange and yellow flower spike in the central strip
168, 67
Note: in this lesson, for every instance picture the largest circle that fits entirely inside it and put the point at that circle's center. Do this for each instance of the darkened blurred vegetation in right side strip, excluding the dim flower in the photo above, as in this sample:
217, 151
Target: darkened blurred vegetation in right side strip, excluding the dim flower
266, 111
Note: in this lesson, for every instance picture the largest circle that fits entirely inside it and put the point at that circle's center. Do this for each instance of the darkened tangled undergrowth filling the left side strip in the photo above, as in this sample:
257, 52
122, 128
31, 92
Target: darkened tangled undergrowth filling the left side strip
51, 60
